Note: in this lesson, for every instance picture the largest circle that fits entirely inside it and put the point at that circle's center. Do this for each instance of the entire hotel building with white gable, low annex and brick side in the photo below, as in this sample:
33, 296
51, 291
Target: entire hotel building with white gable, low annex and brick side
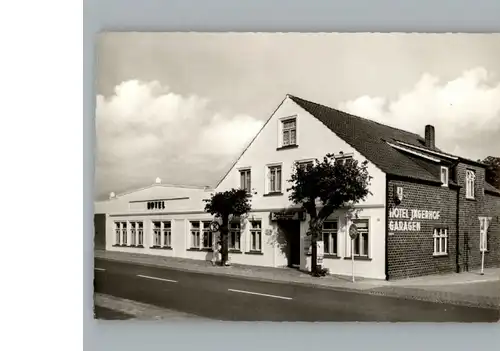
429, 211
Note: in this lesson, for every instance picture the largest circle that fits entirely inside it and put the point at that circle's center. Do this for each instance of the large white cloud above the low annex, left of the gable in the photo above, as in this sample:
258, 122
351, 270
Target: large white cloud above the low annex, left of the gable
145, 130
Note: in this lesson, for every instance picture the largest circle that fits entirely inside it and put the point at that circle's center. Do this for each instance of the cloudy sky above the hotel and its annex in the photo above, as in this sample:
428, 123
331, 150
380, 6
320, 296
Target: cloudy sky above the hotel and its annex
183, 106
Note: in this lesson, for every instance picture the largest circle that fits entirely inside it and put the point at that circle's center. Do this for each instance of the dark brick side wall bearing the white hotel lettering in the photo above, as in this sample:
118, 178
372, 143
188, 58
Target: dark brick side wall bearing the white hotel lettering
411, 253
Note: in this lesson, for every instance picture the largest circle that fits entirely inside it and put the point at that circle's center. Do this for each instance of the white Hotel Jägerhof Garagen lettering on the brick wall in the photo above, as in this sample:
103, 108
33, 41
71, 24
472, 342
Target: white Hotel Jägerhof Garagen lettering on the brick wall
408, 220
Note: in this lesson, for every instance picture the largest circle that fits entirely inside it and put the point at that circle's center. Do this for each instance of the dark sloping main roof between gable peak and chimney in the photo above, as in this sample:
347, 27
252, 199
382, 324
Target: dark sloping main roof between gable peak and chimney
371, 140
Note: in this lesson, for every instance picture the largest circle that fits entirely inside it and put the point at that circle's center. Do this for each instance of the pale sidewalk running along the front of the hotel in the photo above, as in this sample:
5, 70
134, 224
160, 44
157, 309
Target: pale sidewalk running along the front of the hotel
466, 289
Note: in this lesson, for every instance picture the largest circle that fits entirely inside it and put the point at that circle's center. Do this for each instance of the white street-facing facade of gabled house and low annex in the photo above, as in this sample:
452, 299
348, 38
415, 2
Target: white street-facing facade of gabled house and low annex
183, 205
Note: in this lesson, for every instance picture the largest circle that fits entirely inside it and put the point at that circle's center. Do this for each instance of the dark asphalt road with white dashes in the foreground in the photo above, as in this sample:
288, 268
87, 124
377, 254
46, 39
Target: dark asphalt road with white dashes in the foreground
235, 299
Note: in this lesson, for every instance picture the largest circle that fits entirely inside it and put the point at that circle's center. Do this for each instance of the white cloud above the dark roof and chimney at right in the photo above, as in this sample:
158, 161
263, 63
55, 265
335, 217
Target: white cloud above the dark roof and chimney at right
465, 111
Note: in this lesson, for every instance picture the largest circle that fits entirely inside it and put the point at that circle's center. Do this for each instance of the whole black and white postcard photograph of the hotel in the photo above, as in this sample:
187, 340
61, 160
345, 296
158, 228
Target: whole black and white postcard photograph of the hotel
297, 177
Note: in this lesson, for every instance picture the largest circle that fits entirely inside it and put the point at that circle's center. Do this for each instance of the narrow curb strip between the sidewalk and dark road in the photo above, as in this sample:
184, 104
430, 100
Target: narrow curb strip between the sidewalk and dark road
438, 298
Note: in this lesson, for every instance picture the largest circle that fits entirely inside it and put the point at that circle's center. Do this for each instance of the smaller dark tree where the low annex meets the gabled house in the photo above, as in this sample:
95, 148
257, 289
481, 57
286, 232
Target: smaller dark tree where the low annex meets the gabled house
234, 202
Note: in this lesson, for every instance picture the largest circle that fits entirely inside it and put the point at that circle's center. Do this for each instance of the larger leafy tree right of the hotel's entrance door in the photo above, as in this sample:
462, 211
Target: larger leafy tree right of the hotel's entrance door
324, 187
